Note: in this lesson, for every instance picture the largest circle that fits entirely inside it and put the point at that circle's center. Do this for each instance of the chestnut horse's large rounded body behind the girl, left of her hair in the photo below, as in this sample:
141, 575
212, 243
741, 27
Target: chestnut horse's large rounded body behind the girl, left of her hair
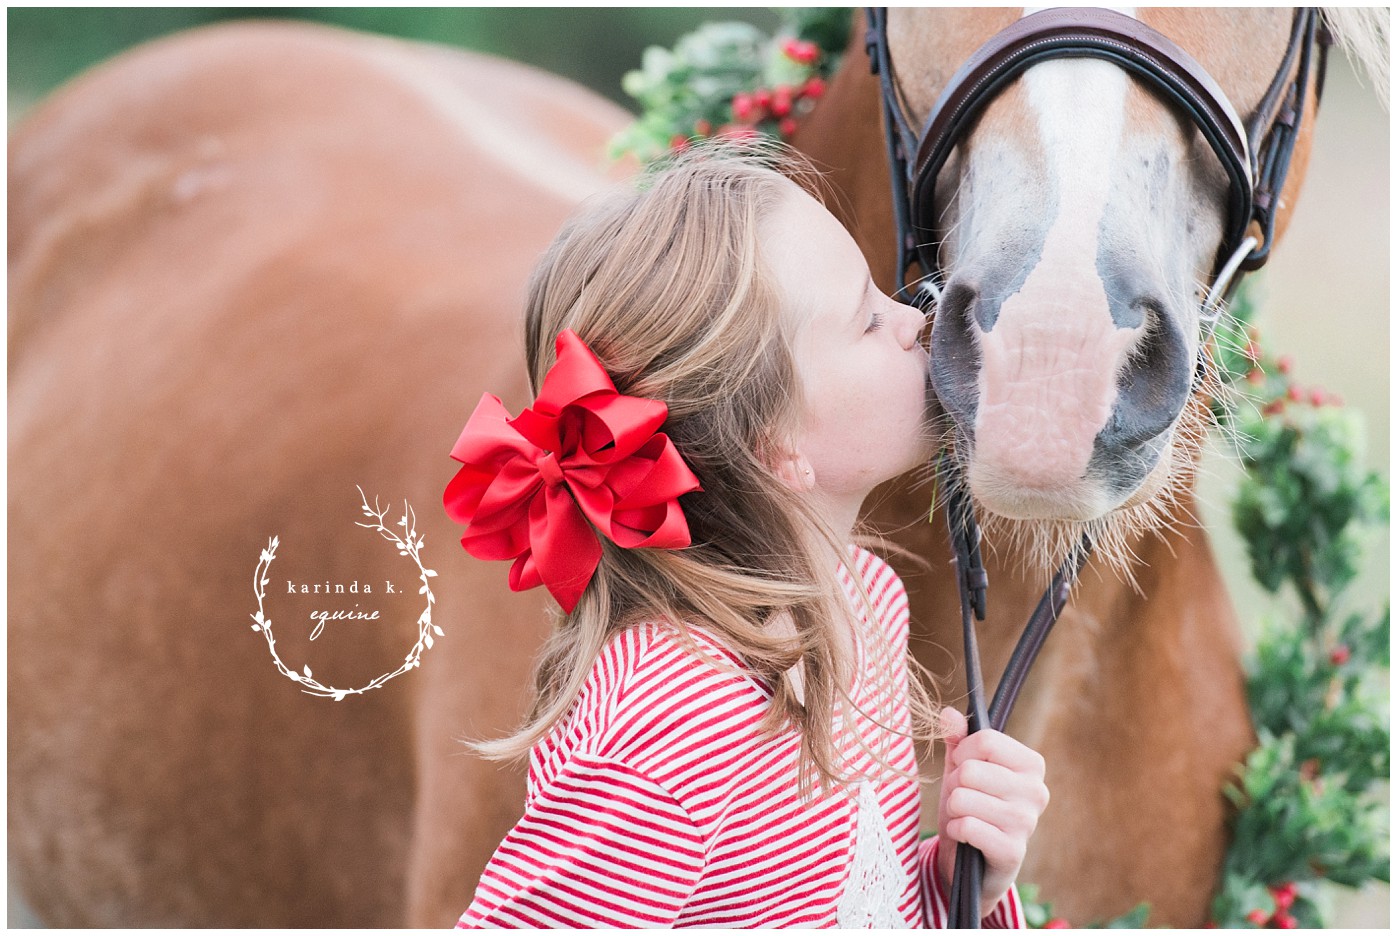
254, 268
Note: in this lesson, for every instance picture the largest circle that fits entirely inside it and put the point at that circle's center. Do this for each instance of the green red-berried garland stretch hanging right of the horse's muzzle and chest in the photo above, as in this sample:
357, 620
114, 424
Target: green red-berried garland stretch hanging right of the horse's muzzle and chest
1308, 805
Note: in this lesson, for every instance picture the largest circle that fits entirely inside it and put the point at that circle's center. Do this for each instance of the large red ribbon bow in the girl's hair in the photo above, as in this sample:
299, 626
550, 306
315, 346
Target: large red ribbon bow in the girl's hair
583, 452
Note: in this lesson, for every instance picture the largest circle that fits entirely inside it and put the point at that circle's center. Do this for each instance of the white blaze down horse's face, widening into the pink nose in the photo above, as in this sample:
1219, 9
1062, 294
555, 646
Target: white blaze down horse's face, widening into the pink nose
1050, 365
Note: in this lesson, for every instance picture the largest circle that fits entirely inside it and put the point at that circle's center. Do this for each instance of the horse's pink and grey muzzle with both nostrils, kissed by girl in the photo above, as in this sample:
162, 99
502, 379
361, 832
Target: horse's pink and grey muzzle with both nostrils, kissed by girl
1065, 396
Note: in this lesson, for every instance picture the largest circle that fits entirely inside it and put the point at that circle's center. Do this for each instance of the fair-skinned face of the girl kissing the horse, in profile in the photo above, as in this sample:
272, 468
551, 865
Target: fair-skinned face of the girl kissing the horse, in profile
861, 361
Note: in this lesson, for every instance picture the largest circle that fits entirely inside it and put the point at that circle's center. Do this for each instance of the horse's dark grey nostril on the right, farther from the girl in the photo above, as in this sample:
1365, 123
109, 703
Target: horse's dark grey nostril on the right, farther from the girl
1155, 383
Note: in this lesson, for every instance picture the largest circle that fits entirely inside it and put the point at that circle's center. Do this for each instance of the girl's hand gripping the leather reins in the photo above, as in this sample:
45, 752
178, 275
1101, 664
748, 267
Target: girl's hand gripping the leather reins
993, 796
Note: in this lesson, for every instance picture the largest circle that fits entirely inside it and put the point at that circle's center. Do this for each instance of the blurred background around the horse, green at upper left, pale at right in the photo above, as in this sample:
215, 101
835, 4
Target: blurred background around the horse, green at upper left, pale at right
1325, 298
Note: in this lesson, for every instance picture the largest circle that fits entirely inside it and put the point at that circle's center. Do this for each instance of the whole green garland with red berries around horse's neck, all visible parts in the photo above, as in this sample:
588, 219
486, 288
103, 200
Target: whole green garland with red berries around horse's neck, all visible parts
1308, 801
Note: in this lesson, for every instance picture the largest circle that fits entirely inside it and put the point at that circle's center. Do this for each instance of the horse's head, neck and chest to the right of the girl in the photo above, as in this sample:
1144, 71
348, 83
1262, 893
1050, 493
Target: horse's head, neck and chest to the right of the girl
1065, 351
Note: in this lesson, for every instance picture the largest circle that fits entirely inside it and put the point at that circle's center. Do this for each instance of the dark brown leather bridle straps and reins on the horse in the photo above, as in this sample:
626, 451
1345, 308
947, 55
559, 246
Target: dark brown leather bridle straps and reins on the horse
1257, 157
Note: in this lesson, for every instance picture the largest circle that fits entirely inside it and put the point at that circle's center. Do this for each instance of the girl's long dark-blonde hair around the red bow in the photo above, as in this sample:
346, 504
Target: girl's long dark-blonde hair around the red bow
666, 281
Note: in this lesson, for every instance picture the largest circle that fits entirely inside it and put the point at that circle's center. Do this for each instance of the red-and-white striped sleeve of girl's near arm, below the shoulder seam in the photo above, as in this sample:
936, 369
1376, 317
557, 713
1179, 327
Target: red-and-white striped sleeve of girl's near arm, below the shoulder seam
600, 846
